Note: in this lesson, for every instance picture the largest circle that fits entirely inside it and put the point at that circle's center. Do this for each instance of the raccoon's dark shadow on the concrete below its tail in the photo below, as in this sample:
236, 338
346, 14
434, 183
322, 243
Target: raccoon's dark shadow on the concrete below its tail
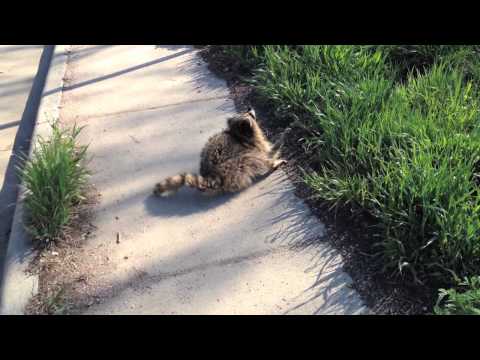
185, 202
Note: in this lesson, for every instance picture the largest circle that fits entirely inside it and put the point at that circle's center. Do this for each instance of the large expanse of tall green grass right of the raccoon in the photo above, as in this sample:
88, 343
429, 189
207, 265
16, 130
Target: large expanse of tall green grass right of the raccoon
397, 132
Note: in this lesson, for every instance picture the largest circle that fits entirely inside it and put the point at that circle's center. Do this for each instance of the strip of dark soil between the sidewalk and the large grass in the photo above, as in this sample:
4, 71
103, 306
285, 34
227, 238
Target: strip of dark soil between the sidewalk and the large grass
347, 231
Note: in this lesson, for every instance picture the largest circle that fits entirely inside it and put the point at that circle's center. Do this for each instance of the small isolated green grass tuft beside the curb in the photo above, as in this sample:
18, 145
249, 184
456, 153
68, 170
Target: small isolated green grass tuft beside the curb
55, 178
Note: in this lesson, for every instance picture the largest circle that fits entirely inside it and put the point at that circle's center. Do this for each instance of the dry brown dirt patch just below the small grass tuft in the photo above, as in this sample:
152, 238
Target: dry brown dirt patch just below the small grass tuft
64, 280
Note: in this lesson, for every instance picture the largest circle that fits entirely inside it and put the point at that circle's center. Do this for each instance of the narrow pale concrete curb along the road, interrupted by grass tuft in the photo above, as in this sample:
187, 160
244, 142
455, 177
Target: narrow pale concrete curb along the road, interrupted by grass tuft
18, 287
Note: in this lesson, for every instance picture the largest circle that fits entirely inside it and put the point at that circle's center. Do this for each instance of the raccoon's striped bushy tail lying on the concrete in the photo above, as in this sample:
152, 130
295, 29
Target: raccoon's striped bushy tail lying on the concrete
171, 184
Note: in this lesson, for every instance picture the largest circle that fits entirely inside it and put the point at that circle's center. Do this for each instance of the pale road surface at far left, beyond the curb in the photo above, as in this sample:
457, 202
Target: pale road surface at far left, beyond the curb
18, 69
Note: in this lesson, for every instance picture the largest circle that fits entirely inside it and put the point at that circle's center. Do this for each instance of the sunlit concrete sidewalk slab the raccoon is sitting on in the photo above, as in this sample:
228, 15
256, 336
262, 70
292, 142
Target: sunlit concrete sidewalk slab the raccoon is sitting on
149, 110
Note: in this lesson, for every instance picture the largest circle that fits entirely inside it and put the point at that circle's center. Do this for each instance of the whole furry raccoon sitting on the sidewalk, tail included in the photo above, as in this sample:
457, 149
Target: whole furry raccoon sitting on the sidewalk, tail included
230, 161
